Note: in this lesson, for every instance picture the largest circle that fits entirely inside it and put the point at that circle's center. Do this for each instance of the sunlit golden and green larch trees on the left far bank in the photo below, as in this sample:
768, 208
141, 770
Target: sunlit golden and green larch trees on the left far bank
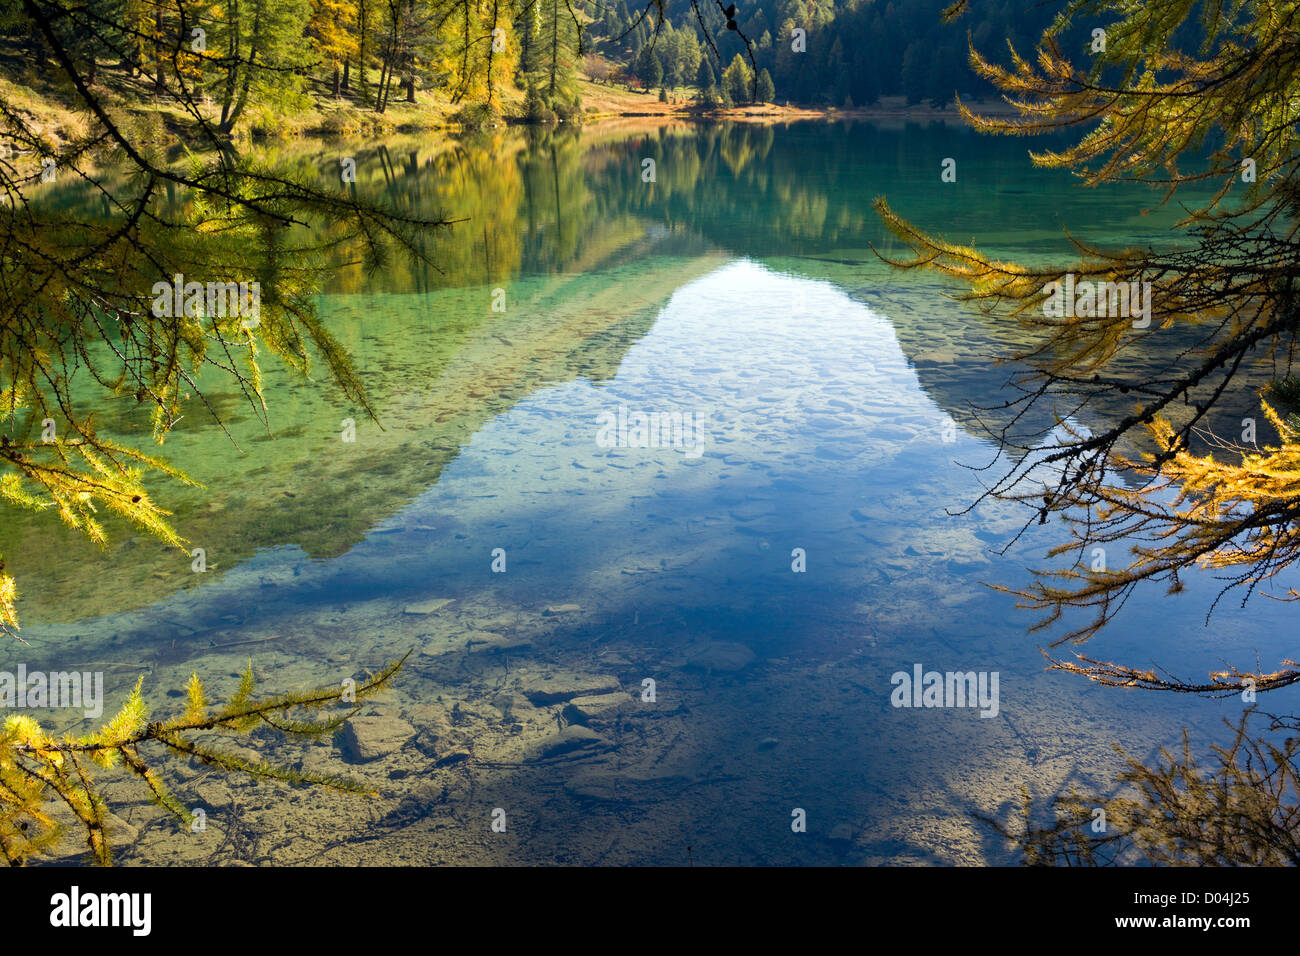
279, 57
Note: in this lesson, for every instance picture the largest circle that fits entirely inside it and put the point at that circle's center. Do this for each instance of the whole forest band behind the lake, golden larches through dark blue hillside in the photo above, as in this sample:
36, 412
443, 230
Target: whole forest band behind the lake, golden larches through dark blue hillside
281, 54
